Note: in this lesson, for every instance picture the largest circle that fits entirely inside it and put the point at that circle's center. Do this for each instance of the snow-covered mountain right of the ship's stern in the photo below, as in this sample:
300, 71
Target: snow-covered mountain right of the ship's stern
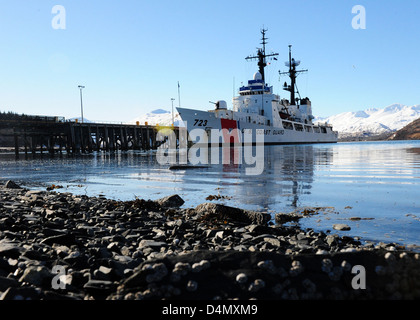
372, 122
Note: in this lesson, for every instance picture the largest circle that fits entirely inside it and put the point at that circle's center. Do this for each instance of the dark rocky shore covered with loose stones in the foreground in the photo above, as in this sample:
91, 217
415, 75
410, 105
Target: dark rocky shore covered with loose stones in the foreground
59, 246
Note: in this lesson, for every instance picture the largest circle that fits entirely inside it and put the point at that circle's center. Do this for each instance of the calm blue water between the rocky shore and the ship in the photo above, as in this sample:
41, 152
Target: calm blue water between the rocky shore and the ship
376, 181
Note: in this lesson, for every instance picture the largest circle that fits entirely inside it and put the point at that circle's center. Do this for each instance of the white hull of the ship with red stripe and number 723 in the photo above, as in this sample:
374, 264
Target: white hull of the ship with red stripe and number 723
213, 125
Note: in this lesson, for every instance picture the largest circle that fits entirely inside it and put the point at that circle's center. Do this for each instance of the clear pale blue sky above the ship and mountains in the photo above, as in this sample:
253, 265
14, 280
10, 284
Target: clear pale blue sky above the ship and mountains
131, 54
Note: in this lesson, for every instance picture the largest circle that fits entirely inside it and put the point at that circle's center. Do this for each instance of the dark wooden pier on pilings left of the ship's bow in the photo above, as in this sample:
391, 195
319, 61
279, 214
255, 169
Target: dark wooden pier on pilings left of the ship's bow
51, 135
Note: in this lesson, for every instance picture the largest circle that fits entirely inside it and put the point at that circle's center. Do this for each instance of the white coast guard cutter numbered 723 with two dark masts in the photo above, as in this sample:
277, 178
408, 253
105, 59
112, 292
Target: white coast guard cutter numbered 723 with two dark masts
281, 121
